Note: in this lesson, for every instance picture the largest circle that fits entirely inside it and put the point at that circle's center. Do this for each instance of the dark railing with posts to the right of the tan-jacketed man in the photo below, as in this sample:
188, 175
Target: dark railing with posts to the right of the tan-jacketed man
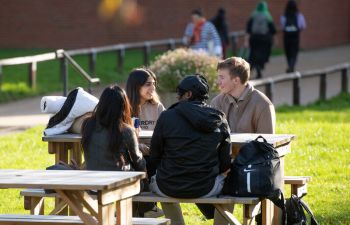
269, 82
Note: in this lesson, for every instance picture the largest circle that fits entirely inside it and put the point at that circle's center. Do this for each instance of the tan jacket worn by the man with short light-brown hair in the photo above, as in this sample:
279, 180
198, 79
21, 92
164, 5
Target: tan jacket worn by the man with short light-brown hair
253, 112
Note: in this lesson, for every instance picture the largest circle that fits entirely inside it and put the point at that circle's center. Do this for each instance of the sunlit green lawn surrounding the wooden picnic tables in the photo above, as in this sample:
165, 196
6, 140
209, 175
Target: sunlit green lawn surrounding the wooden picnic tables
321, 150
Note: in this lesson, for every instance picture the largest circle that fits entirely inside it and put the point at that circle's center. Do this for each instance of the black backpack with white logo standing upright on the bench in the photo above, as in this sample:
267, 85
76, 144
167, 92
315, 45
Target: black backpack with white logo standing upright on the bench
255, 172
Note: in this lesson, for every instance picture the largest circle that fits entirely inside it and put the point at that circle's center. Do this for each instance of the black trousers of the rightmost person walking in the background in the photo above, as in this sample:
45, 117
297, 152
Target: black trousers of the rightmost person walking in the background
291, 48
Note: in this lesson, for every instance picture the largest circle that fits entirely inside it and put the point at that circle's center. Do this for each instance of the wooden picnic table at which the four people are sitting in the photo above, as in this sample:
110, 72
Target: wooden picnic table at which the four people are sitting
67, 146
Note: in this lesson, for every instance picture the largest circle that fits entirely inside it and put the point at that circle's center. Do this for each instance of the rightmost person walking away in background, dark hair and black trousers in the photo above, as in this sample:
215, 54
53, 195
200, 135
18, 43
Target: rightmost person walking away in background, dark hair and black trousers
292, 22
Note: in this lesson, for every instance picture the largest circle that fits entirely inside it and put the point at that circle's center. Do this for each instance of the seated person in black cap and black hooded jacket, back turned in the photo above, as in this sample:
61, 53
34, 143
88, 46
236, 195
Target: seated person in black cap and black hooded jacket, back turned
190, 148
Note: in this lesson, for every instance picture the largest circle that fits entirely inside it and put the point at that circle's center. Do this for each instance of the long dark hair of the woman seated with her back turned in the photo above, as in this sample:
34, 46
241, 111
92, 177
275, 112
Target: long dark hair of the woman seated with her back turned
112, 113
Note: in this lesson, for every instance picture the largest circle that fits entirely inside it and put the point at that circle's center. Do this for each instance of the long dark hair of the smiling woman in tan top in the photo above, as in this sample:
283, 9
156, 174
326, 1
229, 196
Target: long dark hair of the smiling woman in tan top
137, 78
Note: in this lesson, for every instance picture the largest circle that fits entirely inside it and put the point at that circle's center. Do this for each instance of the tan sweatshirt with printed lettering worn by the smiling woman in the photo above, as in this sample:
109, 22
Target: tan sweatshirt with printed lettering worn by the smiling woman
149, 115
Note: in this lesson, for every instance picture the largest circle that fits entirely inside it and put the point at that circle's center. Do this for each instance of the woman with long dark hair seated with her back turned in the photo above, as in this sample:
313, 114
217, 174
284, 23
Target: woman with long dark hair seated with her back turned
108, 138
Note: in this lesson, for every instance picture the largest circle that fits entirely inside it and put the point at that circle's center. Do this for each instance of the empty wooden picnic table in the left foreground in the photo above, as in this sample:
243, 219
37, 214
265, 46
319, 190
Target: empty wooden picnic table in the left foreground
71, 186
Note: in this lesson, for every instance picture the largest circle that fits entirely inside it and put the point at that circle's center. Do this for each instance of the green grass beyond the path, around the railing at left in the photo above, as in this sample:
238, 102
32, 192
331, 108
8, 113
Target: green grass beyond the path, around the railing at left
14, 80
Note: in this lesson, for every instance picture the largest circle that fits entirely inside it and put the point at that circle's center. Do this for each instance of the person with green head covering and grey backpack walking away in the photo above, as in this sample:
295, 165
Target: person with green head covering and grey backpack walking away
260, 29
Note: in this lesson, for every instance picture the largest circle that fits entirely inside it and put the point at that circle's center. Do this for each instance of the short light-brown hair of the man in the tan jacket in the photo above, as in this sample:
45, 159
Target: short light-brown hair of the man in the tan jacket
237, 67
